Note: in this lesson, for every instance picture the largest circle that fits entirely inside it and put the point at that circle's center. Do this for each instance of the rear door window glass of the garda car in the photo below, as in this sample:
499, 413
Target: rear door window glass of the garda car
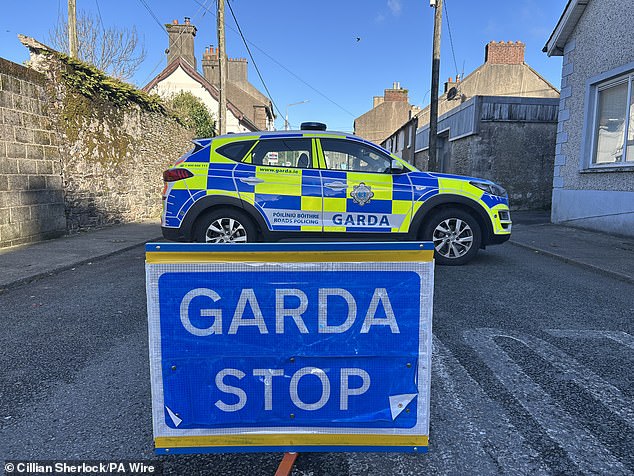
296, 153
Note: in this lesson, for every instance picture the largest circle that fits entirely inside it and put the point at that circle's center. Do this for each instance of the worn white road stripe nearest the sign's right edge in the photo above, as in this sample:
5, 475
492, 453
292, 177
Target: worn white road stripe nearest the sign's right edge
487, 431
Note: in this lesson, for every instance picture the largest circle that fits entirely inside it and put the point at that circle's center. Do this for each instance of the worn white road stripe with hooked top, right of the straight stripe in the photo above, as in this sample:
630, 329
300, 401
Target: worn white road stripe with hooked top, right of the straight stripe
581, 447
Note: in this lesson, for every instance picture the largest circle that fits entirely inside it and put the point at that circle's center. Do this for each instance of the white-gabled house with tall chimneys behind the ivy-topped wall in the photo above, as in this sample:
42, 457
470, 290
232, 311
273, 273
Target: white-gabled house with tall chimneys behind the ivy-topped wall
247, 108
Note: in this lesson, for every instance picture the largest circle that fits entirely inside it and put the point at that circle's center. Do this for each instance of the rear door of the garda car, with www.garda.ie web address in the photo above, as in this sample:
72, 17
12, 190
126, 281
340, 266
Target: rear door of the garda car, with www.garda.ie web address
279, 178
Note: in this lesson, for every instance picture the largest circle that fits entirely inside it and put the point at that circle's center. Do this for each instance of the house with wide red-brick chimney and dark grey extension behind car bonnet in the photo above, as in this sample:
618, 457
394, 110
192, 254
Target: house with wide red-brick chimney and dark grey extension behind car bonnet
496, 121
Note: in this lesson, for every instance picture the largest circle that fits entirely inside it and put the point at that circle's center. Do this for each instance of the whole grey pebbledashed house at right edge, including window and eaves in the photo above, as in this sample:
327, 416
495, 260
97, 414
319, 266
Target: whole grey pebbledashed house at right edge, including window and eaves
593, 184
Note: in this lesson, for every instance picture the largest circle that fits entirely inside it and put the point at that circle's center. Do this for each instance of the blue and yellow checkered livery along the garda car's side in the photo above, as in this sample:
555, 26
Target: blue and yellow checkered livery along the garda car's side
315, 199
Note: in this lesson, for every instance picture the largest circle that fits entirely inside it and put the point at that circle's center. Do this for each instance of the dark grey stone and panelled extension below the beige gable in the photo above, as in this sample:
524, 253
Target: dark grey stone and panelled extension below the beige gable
508, 140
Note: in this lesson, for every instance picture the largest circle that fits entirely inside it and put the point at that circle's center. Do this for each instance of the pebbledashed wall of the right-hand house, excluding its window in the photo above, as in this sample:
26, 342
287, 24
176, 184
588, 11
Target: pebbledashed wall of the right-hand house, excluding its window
601, 44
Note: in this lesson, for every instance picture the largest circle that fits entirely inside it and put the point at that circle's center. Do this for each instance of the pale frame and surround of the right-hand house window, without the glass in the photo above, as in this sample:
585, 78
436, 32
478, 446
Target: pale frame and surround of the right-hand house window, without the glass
595, 85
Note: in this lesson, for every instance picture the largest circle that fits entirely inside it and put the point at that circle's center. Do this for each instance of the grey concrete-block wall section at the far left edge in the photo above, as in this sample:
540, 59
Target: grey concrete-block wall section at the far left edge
31, 195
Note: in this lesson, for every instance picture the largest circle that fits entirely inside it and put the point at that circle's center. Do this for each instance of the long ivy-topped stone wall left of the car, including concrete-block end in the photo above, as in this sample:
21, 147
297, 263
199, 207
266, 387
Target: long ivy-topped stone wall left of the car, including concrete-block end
78, 149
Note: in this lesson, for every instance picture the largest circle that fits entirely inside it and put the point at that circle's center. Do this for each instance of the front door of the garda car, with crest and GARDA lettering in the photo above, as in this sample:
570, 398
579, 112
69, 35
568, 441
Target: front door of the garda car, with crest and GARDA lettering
360, 192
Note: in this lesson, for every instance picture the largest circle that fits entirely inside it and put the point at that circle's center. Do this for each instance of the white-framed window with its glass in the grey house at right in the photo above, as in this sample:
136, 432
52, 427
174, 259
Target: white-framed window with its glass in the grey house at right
613, 130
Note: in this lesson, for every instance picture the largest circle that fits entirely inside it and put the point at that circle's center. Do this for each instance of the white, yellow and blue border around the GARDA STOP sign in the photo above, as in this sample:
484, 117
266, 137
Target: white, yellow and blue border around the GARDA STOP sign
408, 256
